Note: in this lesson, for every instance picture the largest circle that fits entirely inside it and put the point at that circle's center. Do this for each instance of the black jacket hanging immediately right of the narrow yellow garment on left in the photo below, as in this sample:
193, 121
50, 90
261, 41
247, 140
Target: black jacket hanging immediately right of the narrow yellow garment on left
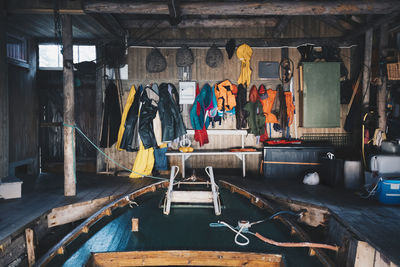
130, 139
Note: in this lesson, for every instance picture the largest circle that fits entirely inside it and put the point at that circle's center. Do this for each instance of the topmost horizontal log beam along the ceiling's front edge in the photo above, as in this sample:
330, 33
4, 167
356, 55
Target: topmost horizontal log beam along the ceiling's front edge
246, 8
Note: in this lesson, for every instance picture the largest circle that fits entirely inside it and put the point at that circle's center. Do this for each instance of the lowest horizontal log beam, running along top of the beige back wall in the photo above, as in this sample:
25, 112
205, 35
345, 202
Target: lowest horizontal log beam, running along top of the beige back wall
253, 42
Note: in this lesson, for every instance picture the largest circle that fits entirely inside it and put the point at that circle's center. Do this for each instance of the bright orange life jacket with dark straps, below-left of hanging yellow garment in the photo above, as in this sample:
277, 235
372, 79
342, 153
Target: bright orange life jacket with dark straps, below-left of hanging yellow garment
226, 92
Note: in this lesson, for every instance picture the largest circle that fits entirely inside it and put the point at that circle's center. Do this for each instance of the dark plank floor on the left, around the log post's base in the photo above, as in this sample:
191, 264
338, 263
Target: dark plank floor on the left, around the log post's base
47, 193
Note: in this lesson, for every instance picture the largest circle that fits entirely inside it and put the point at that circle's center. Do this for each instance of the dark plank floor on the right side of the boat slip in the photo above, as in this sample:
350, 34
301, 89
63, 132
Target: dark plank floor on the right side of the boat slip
370, 221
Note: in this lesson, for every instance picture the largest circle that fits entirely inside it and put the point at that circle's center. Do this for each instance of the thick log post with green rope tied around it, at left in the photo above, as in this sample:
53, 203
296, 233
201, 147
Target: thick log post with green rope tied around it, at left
69, 105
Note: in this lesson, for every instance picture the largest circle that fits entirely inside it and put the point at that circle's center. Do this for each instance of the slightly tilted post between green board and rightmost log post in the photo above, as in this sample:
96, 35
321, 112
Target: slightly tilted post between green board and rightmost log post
367, 66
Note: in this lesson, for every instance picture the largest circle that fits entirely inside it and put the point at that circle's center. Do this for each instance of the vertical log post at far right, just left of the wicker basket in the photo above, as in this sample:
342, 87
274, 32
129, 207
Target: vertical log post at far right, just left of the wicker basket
383, 42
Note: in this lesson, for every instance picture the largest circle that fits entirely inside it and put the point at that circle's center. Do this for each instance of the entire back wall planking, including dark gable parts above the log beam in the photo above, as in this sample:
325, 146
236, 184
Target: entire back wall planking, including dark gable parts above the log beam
298, 27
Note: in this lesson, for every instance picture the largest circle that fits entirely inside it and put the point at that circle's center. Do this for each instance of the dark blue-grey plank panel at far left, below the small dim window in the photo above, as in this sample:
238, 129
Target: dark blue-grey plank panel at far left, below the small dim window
23, 108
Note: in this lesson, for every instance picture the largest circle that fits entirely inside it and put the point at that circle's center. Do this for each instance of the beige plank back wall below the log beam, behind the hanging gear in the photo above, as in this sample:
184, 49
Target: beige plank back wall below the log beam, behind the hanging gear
202, 74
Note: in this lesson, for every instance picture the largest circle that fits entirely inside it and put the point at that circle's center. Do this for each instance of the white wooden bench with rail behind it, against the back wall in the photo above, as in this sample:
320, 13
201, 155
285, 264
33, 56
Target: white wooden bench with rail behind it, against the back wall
240, 154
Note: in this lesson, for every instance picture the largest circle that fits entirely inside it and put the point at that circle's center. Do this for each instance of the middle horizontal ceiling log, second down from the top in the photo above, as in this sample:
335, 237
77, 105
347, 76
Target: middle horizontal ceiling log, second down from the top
206, 23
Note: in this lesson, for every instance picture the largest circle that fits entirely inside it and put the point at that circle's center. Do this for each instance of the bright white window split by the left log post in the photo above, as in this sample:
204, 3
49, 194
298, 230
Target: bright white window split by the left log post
50, 56
